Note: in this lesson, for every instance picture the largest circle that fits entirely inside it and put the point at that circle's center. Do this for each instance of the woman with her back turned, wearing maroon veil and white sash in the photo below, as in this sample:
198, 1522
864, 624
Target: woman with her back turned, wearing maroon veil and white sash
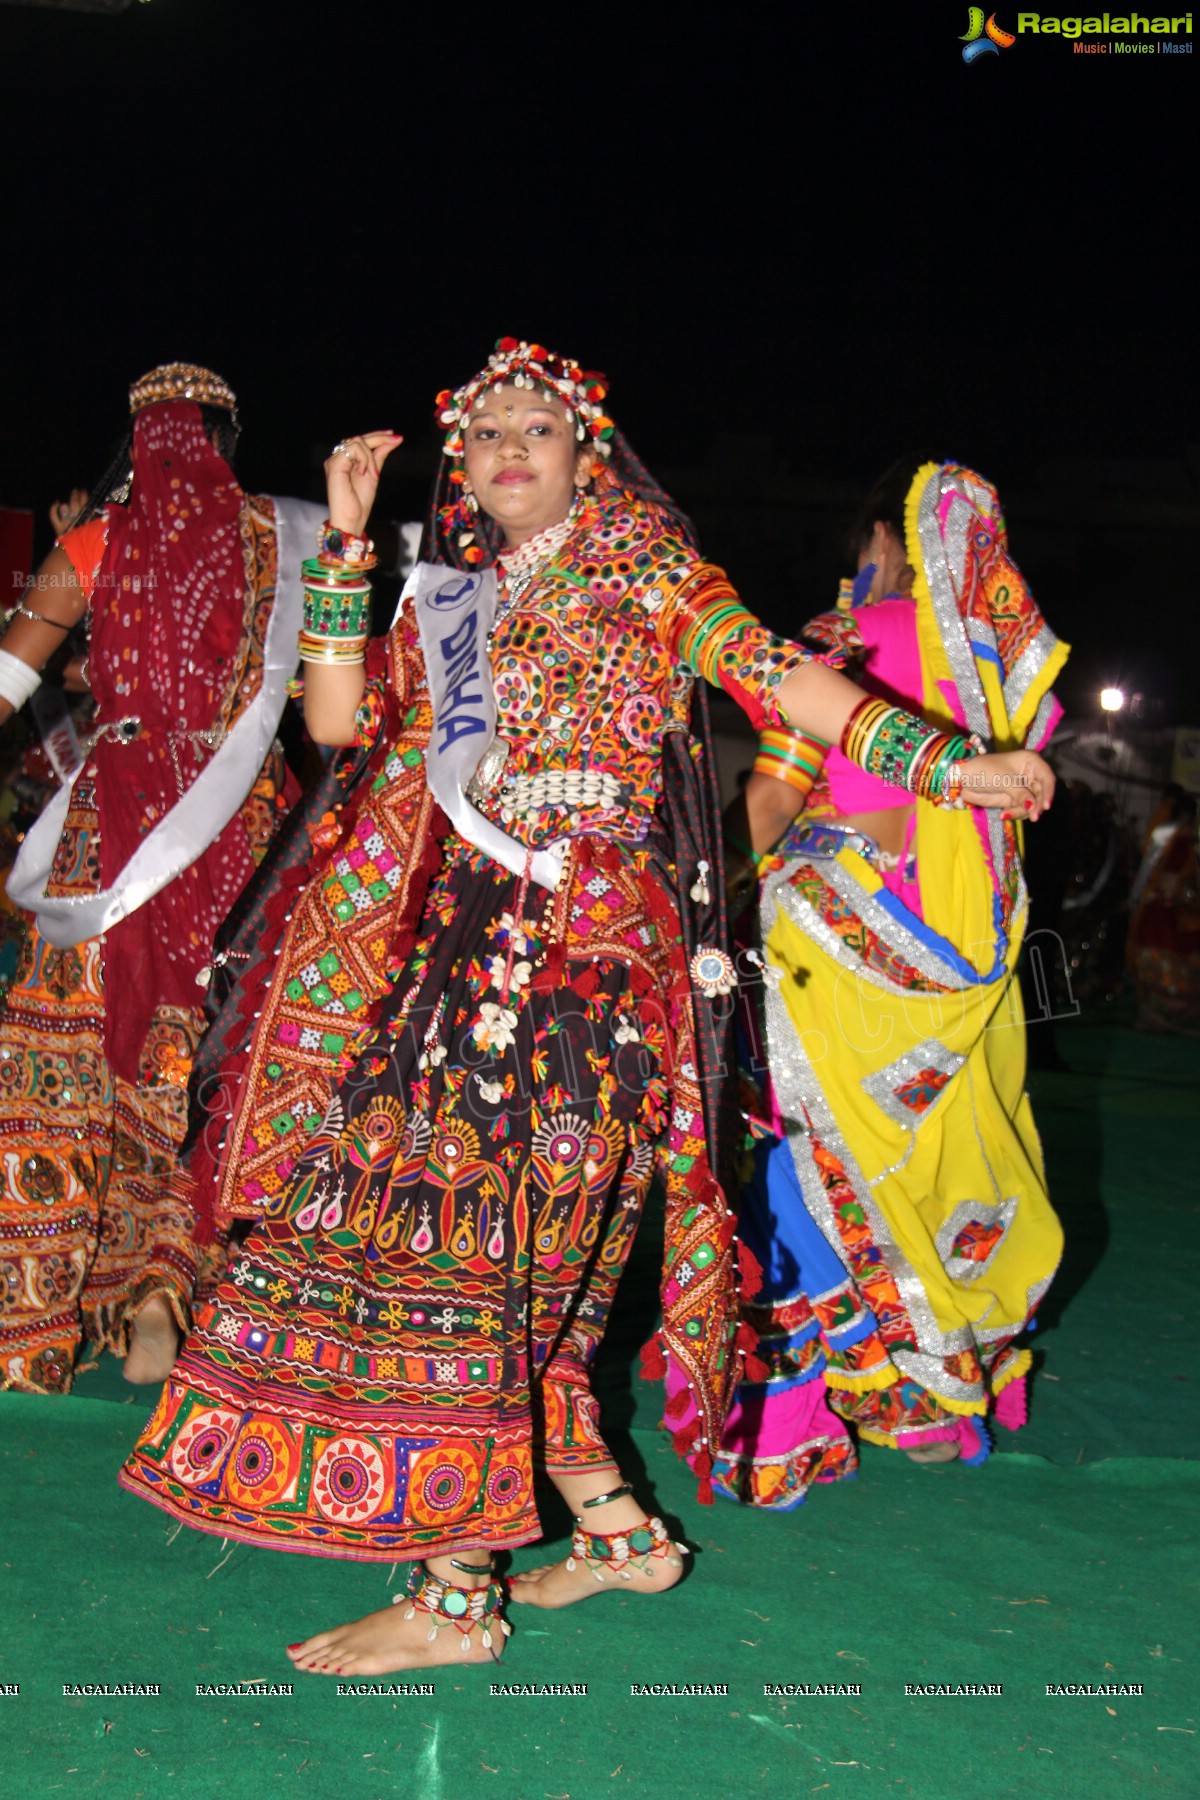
192, 593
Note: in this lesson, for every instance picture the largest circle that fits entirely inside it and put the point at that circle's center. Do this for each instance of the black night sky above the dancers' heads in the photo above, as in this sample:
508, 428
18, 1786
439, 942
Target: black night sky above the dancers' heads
800, 240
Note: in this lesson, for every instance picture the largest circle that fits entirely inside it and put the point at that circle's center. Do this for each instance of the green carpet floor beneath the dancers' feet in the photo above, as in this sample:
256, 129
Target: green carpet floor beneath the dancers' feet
1066, 1560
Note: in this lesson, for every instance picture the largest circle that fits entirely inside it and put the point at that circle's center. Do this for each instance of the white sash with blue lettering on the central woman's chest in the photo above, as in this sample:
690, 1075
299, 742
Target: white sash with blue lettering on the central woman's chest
454, 616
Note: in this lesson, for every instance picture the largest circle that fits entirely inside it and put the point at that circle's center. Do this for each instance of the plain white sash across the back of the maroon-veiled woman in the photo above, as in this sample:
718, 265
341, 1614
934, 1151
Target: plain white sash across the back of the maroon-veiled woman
215, 796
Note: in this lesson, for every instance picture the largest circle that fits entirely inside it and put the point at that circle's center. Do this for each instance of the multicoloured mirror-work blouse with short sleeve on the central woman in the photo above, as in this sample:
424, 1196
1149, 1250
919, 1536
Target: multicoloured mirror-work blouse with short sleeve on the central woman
595, 665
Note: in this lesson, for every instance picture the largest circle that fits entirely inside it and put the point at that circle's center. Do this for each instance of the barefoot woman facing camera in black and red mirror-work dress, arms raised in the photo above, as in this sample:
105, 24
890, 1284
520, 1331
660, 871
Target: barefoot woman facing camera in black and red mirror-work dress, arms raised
485, 1020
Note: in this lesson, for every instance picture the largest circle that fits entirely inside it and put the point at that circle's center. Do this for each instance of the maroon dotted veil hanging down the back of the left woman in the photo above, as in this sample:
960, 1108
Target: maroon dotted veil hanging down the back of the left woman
166, 634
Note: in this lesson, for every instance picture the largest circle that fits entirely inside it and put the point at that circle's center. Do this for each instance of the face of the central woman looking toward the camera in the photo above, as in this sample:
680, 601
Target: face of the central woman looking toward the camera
524, 462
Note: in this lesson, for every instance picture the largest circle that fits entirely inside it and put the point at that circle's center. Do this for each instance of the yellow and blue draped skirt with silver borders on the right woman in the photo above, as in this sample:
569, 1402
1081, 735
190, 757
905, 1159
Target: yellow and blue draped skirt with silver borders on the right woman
902, 1218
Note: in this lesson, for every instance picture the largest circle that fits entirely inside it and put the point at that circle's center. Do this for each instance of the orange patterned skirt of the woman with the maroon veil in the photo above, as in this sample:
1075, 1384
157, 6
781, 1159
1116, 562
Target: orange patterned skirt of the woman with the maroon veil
87, 1227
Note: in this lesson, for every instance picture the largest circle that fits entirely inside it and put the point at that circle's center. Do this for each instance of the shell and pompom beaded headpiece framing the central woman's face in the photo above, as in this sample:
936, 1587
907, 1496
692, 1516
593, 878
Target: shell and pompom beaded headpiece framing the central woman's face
517, 364
